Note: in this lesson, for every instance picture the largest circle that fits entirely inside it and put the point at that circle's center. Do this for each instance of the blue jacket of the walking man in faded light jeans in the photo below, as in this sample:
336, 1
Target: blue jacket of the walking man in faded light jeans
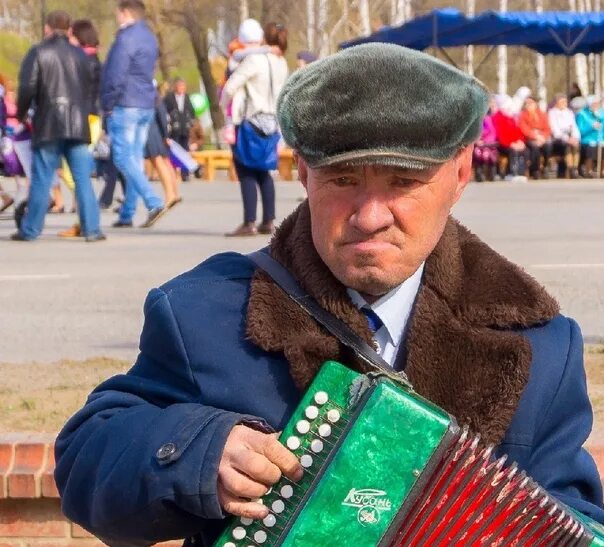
127, 78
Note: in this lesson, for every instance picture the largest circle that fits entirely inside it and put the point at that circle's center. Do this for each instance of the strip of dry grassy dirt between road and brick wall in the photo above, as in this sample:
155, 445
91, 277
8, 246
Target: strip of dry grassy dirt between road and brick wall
40, 397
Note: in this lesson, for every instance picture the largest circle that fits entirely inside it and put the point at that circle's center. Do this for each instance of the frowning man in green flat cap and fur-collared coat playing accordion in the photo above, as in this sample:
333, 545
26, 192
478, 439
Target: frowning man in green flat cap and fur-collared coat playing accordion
185, 438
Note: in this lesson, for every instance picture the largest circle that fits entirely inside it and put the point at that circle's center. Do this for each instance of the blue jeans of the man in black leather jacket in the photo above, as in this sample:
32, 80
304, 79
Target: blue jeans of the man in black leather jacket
46, 160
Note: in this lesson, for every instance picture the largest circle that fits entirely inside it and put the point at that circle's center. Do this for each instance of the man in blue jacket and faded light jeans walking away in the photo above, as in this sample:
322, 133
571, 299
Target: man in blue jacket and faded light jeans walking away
128, 101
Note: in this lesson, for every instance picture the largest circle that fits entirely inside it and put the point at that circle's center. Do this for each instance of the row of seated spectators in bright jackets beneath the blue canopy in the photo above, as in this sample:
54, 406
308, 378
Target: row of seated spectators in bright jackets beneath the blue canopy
520, 139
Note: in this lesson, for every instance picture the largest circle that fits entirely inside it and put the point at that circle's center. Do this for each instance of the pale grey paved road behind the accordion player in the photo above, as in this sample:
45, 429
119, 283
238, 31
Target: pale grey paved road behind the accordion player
67, 299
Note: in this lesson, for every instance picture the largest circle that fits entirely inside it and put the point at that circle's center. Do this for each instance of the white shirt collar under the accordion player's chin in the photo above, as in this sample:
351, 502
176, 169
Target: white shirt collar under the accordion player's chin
394, 308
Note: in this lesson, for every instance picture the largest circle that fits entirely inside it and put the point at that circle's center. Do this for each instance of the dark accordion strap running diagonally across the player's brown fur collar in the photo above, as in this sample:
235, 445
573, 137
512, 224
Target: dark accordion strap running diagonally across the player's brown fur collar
288, 284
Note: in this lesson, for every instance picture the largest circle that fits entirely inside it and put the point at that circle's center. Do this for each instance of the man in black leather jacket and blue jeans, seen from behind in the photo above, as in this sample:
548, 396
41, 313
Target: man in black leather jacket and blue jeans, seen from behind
55, 78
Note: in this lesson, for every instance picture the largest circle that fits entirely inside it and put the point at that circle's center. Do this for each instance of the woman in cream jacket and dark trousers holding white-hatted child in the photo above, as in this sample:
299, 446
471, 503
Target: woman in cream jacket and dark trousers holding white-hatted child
253, 89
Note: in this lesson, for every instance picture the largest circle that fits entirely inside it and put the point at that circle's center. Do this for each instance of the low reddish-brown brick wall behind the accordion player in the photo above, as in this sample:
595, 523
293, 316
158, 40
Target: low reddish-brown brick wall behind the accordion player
30, 512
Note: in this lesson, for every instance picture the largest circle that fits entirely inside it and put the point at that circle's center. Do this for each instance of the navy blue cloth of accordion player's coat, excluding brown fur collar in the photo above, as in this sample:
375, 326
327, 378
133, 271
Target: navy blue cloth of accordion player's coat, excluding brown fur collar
198, 375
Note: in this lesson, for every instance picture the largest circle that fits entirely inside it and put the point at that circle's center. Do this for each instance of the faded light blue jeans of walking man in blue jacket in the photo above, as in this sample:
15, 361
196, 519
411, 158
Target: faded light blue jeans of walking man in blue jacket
128, 129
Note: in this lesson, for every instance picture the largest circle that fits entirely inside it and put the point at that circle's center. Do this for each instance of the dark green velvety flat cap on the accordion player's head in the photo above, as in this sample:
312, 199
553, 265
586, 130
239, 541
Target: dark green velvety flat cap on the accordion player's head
381, 103
